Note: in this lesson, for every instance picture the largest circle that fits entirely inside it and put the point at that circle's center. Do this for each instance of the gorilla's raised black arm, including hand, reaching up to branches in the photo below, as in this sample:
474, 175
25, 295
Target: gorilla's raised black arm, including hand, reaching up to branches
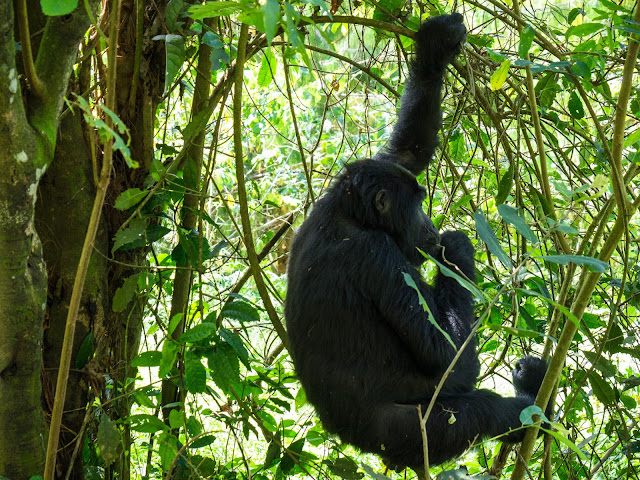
415, 136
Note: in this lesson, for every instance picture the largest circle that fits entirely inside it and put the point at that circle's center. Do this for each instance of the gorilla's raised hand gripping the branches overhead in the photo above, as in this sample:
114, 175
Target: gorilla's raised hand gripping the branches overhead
438, 41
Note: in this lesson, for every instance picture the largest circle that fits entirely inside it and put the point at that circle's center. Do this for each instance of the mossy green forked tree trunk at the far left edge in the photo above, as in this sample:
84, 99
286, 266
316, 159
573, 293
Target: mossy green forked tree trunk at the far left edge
28, 126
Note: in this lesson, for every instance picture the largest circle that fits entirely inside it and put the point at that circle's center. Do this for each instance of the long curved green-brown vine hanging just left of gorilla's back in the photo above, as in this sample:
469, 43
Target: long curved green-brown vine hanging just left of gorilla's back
242, 192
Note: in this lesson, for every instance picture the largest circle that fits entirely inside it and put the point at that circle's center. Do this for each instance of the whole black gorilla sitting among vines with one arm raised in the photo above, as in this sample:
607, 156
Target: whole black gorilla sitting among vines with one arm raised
362, 345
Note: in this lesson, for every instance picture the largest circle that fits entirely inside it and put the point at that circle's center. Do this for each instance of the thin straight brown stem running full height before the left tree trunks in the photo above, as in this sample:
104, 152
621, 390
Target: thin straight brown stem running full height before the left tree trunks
85, 256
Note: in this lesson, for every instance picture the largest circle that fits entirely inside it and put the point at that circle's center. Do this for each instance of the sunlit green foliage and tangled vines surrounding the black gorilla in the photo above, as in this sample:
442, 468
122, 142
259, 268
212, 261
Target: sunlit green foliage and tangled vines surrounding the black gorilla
534, 191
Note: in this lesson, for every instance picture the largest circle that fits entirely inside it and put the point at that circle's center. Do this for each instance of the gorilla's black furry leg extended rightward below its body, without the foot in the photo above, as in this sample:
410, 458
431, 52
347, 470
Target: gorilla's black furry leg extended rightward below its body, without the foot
455, 423
